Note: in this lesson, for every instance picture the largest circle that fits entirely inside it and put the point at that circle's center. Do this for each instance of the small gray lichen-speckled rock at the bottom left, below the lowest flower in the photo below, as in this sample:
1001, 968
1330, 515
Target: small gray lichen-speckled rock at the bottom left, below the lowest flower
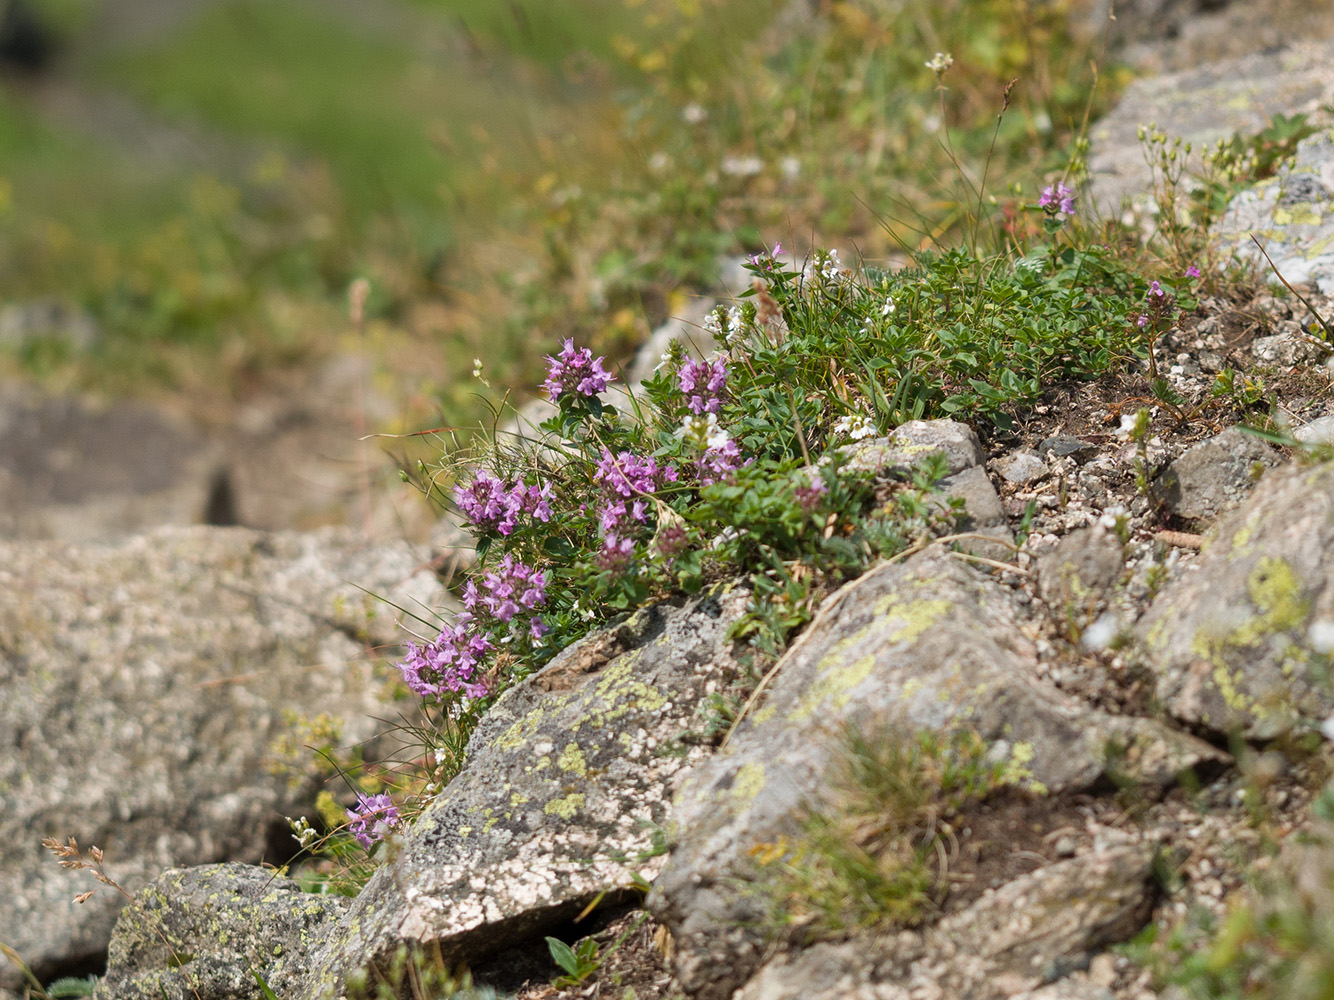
199, 934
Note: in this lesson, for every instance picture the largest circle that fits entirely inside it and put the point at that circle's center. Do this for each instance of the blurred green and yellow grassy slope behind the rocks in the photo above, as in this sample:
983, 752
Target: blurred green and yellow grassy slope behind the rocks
206, 178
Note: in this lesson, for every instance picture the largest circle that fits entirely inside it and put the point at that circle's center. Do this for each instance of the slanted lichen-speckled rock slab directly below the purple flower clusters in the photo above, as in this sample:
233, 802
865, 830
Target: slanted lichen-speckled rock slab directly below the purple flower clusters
568, 781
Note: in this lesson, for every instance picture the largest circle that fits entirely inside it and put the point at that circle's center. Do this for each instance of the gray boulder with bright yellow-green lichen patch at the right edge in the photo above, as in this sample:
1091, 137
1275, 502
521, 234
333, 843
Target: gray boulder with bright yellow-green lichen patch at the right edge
1228, 642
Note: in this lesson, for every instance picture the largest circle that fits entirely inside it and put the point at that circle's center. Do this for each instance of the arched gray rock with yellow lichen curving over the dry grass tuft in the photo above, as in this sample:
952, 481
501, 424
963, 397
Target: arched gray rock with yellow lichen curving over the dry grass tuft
926, 645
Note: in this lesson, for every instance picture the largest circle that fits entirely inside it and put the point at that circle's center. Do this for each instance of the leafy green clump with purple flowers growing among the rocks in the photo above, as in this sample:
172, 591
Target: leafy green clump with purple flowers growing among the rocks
738, 465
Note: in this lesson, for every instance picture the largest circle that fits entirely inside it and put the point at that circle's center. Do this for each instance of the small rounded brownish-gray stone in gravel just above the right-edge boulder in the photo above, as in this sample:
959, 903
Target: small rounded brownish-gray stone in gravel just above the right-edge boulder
1215, 477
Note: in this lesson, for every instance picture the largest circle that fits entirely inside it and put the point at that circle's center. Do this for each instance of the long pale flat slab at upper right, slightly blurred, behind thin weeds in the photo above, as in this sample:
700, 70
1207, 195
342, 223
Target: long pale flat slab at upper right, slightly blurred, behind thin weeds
1203, 106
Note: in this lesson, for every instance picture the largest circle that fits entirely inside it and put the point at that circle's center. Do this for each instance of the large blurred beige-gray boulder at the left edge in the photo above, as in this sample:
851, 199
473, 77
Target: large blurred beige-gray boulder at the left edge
143, 687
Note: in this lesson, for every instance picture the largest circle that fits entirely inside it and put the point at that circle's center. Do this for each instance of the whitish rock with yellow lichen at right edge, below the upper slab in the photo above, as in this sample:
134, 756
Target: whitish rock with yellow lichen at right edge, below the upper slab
1293, 218
